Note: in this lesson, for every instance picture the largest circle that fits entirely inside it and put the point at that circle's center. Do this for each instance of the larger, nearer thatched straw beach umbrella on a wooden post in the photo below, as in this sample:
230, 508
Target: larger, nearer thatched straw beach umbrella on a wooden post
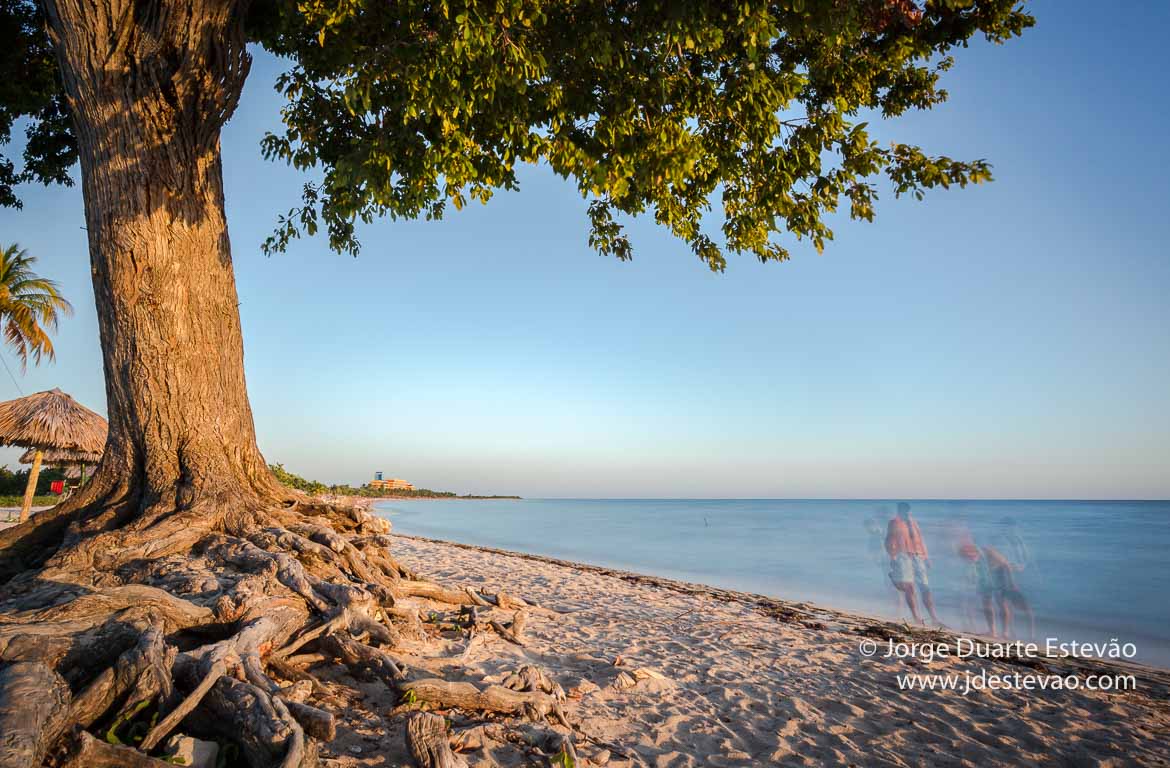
46, 422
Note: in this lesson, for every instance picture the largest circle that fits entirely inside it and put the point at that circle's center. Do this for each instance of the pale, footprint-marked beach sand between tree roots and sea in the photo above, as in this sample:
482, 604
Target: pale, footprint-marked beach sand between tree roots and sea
732, 680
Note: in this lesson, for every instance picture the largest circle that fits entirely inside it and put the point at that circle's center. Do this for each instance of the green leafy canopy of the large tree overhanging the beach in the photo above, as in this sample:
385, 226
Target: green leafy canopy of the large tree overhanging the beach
666, 108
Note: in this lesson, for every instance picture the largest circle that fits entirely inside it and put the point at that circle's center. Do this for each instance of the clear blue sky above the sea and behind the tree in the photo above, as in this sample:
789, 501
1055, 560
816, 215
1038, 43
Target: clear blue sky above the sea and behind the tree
1004, 341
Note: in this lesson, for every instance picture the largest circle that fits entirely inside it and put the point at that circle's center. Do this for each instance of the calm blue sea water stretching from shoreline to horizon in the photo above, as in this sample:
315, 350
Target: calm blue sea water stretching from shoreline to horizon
1097, 570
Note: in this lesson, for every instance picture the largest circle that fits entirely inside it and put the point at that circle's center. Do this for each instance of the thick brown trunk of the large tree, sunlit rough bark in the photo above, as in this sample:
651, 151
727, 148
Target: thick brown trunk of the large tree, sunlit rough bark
150, 87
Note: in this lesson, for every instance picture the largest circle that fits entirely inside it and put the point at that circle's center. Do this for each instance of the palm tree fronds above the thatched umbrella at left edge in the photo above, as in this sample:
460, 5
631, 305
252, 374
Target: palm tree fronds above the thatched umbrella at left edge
30, 306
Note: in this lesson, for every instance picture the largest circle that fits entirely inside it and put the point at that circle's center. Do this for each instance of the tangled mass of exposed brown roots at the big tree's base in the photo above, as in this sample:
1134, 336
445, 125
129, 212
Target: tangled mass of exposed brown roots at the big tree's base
143, 625
